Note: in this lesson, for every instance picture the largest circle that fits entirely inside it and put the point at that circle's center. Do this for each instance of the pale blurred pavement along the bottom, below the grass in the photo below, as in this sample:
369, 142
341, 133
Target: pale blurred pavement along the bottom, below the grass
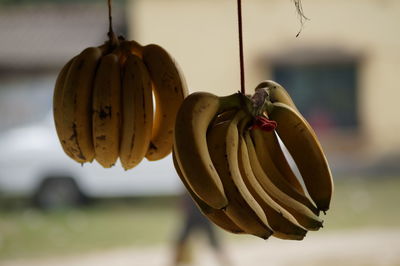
367, 247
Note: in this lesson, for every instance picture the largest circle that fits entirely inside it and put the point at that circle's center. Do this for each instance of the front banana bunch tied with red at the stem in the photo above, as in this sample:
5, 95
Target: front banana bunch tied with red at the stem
227, 154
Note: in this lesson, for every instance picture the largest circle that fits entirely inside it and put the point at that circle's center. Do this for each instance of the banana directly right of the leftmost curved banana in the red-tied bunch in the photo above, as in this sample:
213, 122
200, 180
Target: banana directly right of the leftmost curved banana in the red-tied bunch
242, 208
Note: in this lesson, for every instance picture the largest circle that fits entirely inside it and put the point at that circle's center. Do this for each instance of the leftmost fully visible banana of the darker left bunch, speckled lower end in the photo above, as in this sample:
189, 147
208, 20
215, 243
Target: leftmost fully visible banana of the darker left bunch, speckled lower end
76, 105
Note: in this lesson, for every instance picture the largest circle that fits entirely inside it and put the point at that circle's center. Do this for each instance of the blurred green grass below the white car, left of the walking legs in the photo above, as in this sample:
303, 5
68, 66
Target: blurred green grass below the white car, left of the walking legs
28, 232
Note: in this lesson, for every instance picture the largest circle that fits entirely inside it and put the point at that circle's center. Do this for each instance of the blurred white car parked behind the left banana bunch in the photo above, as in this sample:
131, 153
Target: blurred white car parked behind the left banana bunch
32, 163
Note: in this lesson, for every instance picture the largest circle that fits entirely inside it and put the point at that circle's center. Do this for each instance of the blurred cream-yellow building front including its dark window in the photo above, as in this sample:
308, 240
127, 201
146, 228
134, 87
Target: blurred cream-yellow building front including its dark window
342, 69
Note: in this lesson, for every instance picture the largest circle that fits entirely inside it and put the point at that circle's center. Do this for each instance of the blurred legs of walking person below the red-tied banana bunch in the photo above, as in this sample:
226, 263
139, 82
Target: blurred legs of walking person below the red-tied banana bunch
194, 221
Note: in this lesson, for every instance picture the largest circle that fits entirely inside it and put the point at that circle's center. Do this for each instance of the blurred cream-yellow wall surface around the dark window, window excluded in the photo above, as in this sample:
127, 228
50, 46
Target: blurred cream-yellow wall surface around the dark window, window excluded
202, 35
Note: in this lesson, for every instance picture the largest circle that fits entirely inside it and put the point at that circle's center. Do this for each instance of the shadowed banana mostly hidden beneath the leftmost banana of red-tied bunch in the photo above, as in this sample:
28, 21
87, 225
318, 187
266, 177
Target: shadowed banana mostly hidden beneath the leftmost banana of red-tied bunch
218, 217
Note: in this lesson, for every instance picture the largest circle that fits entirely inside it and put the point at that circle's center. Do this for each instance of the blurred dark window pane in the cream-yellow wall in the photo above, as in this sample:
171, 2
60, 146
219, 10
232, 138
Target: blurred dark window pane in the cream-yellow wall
326, 93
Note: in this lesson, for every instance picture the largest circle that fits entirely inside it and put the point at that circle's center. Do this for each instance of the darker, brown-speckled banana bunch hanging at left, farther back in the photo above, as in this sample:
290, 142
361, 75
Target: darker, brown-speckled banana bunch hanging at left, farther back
103, 103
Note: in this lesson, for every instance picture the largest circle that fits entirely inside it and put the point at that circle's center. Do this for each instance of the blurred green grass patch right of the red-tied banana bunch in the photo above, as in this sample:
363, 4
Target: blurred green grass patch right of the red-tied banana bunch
360, 203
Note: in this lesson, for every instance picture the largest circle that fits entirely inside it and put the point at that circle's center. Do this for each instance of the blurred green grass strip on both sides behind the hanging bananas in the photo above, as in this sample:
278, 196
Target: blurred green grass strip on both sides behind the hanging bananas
358, 203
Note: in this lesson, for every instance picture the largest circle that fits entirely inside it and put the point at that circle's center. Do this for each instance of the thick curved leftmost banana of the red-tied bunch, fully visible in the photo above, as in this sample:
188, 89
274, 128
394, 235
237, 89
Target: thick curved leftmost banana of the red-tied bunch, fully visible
192, 121
